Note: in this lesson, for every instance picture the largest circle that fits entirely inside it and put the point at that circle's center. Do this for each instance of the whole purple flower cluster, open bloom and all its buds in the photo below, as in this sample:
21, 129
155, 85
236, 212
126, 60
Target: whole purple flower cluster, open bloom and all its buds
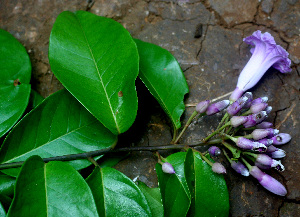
250, 143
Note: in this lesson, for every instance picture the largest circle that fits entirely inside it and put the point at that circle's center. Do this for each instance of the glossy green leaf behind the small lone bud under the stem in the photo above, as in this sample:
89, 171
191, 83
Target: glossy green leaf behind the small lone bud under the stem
173, 187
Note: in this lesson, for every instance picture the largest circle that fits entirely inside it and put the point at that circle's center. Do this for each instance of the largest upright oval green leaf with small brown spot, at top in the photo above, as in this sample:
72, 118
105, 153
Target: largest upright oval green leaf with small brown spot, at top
96, 59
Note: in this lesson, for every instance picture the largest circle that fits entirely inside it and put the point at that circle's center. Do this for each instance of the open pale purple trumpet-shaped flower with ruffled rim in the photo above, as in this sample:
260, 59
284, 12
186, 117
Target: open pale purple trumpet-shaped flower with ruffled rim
264, 55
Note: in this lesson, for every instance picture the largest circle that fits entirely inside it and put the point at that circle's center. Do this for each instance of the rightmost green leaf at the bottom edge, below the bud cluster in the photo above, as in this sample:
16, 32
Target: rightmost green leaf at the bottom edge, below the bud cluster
209, 190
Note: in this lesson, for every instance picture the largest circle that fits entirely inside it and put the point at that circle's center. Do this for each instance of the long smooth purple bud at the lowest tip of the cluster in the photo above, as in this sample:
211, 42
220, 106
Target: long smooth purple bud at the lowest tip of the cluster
268, 182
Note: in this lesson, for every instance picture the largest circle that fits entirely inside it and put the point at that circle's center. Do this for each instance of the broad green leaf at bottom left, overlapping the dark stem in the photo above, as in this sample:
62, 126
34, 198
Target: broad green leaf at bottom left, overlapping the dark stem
52, 189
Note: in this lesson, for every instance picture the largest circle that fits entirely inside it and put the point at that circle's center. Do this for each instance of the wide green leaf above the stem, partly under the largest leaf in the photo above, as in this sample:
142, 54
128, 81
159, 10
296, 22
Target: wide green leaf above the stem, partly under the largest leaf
60, 125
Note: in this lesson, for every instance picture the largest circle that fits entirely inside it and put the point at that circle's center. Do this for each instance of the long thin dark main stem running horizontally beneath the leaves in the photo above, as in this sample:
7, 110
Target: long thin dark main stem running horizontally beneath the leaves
110, 150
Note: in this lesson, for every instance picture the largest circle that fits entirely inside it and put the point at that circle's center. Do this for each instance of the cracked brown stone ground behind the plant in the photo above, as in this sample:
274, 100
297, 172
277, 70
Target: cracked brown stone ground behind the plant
206, 38
